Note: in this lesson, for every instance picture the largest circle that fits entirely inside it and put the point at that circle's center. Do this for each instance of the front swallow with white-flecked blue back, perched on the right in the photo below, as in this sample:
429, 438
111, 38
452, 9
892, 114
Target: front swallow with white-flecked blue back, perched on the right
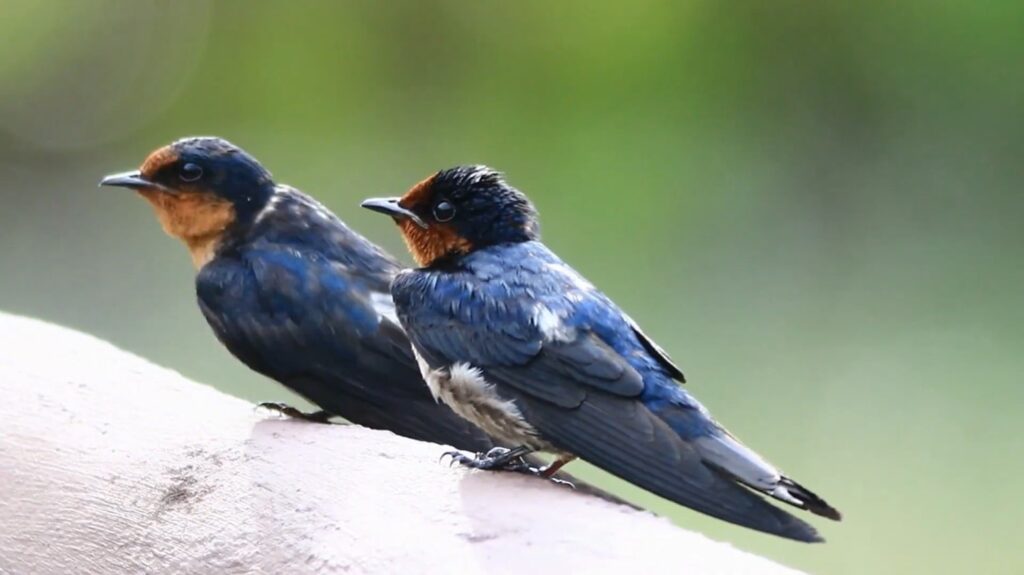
518, 342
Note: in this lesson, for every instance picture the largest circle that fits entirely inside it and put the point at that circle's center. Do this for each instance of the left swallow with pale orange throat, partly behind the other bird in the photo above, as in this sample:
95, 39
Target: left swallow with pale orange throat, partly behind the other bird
295, 294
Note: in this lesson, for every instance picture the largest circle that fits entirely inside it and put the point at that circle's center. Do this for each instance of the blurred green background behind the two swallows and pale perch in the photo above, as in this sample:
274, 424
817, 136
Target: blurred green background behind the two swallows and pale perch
818, 209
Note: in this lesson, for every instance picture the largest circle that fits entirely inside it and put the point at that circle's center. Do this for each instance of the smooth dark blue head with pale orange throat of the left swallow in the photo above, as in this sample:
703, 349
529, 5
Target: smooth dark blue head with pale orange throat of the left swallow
200, 188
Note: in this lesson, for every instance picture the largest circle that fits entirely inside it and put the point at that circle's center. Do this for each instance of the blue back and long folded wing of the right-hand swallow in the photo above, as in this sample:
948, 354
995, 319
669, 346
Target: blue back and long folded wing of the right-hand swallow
581, 371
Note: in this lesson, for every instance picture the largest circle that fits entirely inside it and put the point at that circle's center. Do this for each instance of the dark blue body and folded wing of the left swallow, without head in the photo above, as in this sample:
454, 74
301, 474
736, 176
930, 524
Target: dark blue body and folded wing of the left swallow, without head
298, 300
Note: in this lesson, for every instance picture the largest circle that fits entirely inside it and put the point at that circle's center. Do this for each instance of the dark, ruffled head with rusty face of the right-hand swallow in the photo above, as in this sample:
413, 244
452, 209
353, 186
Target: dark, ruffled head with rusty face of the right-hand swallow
457, 211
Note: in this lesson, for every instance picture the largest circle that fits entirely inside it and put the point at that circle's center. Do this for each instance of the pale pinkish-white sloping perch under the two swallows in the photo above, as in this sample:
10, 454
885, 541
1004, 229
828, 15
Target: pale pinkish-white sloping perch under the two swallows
112, 465
